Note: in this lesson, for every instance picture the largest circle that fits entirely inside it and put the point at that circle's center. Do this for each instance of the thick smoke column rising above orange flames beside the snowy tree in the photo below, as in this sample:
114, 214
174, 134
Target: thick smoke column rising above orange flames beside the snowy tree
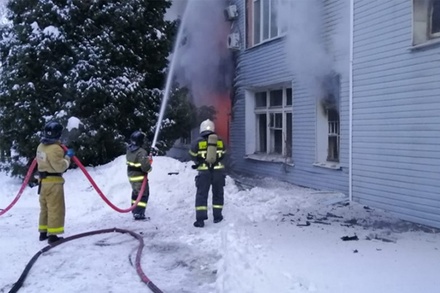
203, 62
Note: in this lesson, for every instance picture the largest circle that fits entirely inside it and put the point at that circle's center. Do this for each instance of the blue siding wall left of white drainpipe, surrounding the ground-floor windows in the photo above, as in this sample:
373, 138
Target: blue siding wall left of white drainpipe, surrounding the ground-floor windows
265, 65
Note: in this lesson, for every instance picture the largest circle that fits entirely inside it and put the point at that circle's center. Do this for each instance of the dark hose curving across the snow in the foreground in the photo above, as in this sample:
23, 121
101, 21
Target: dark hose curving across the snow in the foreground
139, 270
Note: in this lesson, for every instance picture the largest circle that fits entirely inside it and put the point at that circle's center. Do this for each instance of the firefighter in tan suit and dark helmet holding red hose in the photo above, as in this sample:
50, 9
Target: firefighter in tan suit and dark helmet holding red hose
52, 162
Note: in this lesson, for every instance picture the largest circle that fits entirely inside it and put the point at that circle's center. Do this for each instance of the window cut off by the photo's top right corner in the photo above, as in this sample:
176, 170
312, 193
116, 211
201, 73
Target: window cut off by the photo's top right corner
426, 20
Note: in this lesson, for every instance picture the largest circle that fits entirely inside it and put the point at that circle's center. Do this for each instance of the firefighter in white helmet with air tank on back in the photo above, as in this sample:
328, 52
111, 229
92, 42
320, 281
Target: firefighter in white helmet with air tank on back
207, 152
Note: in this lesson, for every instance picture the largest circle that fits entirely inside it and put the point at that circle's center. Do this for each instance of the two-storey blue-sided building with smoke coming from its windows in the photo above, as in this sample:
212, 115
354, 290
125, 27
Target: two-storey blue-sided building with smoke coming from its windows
341, 95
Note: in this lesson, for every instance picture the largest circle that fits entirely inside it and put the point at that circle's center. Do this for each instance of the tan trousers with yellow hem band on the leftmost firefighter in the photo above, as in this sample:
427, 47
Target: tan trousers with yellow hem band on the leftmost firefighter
52, 208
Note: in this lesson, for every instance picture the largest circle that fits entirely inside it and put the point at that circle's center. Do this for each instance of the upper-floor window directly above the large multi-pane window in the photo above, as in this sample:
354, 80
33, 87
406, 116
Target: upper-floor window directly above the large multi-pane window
262, 21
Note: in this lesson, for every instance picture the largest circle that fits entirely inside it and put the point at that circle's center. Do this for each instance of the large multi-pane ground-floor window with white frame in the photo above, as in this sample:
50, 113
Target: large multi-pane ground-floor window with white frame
273, 115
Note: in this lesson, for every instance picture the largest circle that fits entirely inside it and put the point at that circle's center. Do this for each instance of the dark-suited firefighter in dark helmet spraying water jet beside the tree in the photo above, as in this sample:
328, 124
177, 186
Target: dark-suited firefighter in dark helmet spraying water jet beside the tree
138, 166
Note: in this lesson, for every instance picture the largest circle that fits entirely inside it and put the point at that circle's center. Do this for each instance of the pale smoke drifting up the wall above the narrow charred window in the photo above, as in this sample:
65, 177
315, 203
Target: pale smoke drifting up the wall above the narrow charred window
310, 57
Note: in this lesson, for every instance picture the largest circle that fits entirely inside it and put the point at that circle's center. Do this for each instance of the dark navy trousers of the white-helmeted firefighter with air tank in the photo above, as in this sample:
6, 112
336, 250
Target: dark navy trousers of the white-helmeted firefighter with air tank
204, 180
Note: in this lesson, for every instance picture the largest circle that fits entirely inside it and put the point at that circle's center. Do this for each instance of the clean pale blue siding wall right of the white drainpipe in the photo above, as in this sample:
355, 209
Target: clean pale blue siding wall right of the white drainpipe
396, 121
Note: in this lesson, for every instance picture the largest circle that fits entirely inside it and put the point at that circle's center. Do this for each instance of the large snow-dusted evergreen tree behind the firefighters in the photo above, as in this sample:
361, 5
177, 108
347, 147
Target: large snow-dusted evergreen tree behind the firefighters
100, 61
